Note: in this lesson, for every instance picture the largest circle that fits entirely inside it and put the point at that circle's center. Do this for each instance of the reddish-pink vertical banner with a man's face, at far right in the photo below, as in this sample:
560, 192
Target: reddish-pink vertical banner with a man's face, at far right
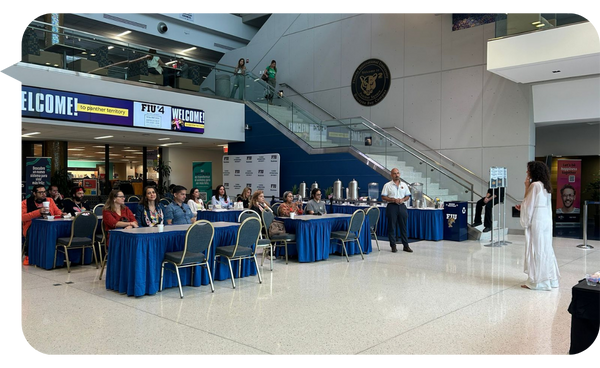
568, 186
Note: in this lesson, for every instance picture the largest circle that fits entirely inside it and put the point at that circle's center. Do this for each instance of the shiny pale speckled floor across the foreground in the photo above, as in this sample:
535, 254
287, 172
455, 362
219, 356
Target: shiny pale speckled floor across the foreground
447, 299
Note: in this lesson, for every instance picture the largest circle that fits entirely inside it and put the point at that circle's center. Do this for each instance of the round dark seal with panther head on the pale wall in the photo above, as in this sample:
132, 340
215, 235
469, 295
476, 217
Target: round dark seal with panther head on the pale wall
370, 82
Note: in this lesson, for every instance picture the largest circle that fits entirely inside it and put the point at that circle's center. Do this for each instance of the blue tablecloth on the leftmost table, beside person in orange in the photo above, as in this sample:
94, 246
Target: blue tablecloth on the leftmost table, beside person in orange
42, 235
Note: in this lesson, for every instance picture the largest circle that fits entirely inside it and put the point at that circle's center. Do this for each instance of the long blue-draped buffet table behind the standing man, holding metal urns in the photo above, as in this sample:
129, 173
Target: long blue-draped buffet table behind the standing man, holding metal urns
423, 223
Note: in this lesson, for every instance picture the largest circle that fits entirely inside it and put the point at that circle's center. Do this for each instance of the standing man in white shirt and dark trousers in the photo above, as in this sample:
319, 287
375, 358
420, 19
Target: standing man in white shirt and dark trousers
395, 193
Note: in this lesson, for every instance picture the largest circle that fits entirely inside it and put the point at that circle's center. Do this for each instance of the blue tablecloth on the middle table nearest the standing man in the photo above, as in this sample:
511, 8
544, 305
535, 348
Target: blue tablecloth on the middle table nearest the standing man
313, 236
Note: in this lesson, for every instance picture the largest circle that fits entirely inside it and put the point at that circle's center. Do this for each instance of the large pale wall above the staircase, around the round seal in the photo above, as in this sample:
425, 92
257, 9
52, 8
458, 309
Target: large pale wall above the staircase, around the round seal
440, 93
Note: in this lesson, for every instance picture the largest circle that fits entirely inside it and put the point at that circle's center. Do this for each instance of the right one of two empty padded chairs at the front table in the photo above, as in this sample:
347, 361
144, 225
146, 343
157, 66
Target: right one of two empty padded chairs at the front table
244, 247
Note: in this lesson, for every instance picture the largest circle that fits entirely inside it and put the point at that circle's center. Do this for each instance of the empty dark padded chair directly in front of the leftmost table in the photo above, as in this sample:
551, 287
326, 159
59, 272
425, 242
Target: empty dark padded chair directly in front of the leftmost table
83, 236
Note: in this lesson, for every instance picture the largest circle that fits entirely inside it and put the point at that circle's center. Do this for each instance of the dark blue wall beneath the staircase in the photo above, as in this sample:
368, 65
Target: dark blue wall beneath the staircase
298, 166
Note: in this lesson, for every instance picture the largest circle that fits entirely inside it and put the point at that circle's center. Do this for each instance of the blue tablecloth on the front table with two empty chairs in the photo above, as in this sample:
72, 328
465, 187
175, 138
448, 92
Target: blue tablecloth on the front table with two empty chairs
135, 257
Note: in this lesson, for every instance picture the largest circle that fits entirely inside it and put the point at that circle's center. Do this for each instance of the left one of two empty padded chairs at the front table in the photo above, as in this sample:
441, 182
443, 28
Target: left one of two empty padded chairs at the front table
196, 252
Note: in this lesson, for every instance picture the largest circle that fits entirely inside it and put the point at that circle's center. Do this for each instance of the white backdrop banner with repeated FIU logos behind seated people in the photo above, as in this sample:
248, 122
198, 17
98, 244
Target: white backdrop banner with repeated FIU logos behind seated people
259, 172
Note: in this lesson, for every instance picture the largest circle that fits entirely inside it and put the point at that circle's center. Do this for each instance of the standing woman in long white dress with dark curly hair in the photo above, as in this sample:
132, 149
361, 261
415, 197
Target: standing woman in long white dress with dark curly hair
536, 217
